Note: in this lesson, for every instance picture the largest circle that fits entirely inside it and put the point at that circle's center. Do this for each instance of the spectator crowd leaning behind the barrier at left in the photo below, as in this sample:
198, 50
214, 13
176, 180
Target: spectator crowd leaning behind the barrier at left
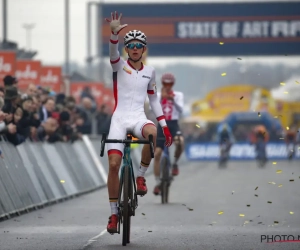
39, 114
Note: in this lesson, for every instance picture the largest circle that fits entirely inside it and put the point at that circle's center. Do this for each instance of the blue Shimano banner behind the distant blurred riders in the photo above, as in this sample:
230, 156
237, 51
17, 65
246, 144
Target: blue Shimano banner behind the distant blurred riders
238, 151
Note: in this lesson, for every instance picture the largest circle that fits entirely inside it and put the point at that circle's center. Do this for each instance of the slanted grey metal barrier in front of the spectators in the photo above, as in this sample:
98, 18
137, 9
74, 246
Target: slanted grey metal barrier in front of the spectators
36, 174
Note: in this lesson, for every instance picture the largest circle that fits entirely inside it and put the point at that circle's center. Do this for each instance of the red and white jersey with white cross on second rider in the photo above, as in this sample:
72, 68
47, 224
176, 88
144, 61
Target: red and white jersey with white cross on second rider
172, 108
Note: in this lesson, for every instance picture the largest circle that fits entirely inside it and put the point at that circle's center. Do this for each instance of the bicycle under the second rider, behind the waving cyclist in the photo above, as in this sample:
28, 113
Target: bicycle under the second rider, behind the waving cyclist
166, 177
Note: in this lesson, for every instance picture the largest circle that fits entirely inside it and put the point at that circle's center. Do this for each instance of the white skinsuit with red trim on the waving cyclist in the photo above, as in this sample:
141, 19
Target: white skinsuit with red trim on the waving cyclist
131, 87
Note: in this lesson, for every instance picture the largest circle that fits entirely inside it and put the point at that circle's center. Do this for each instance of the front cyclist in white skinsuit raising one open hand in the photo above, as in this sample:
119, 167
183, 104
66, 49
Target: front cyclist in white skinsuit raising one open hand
132, 81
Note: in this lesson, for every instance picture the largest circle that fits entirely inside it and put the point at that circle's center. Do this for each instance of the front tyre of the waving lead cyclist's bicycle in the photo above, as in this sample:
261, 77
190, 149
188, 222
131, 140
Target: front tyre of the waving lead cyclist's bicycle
125, 206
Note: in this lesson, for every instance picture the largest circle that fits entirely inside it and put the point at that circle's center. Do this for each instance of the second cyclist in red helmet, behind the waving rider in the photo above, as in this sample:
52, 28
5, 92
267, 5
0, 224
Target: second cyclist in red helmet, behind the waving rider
172, 103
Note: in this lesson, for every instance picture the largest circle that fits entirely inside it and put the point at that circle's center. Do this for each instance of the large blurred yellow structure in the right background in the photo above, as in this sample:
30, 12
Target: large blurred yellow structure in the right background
243, 98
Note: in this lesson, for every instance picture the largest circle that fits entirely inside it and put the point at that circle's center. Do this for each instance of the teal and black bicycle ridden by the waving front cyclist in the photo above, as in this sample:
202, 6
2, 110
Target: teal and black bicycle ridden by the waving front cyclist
127, 201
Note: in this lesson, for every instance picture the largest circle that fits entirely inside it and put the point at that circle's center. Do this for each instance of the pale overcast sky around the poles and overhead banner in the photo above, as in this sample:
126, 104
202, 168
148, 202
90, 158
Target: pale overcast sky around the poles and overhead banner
47, 37
